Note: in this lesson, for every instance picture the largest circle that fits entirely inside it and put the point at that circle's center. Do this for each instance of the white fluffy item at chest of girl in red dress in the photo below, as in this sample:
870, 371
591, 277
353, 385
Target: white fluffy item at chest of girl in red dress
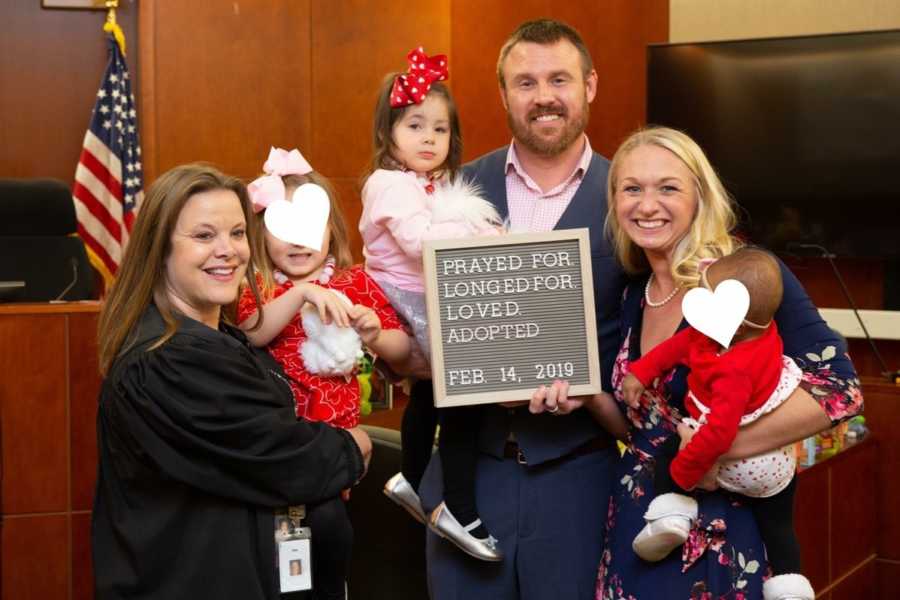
328, 350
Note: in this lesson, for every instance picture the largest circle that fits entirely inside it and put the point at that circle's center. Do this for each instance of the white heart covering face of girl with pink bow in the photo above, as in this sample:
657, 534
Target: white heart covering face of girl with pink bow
303, 220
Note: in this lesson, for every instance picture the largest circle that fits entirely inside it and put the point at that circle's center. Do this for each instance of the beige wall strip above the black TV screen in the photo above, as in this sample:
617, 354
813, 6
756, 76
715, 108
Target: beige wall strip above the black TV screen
705, 20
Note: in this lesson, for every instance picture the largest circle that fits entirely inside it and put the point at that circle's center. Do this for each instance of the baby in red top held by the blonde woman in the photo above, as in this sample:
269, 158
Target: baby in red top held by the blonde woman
728, 388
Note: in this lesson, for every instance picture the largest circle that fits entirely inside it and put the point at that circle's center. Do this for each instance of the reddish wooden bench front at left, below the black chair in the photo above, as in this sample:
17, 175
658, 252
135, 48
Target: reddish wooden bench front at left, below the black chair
49, 383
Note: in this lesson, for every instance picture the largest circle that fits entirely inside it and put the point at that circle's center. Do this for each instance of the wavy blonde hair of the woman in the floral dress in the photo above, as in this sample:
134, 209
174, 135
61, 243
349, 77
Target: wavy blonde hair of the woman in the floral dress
709, 235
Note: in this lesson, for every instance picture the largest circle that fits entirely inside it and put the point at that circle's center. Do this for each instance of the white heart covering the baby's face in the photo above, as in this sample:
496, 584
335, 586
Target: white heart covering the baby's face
718, 314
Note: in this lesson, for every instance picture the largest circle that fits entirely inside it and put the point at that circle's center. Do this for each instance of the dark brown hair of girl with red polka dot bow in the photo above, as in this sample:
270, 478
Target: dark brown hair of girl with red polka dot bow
383, 126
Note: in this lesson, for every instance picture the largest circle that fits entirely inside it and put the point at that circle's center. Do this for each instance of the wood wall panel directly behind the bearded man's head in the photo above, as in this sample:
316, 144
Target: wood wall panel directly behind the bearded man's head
616, 33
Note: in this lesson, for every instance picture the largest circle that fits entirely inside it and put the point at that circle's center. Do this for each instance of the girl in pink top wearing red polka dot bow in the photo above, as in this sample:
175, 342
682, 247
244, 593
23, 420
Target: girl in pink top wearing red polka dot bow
413, 193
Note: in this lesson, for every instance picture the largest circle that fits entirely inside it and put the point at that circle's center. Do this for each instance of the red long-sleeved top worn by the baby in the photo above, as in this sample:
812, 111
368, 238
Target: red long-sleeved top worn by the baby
730, 383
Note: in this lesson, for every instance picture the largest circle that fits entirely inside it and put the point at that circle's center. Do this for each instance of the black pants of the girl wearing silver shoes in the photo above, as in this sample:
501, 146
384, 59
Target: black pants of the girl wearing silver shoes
458, 446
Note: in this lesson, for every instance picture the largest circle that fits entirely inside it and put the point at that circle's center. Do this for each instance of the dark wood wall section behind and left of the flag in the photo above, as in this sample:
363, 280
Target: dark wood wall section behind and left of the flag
51, 62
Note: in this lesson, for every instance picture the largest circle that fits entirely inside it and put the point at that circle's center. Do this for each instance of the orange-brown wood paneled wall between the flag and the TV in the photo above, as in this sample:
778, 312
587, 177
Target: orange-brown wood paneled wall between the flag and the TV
306, 74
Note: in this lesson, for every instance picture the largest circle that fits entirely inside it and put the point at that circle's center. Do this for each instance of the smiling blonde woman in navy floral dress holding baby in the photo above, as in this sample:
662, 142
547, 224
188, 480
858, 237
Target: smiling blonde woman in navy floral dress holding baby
669, 216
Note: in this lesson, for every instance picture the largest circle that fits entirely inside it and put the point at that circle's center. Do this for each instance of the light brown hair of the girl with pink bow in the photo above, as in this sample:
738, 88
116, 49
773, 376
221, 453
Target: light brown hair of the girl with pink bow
339, 246
